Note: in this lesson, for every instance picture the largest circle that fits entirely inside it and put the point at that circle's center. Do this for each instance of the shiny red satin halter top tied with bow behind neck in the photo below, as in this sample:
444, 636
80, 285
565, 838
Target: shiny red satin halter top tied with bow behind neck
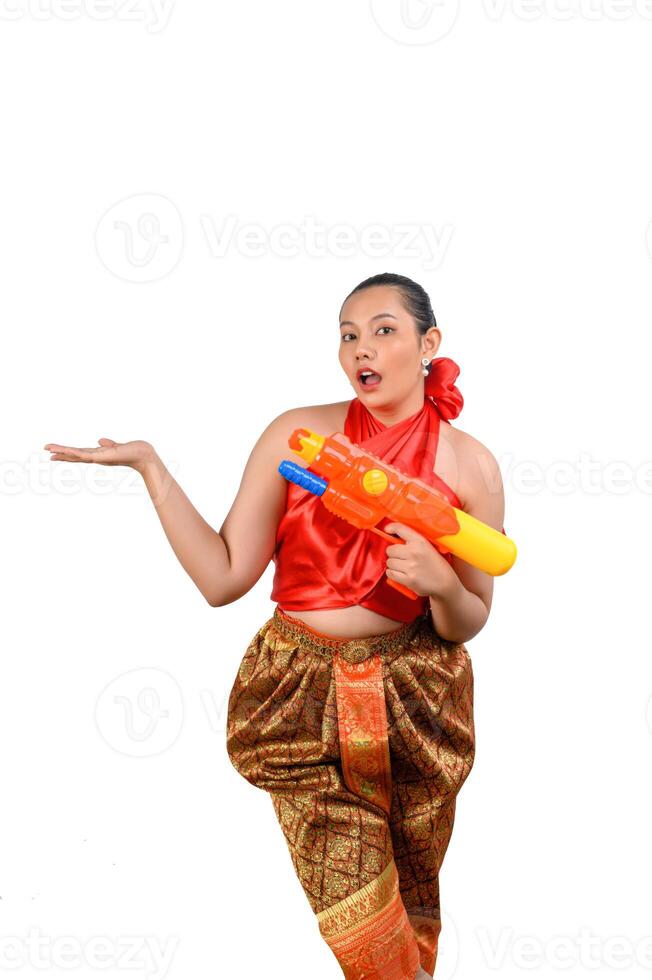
322, 561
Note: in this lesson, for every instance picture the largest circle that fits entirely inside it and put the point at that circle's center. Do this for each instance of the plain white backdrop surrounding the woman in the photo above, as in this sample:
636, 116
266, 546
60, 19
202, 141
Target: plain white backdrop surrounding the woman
144, 149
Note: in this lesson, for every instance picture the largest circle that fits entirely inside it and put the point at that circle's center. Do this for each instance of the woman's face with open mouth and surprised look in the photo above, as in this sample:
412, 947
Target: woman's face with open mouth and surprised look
378, 334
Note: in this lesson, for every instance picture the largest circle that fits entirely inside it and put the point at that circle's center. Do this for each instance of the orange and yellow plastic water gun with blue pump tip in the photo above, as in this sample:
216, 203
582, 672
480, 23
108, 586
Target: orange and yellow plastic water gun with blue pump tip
362, 488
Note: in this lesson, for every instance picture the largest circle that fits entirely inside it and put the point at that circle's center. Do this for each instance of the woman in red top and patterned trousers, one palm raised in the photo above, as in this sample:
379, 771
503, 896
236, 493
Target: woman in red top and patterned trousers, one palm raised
353, 704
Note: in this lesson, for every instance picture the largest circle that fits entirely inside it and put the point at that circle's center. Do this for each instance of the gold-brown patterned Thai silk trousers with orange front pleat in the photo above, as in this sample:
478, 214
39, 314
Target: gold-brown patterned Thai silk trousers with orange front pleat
363, 746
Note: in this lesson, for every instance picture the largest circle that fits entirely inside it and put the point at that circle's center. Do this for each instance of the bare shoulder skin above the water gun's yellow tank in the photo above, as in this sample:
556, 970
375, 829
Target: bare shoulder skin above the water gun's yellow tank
479, 477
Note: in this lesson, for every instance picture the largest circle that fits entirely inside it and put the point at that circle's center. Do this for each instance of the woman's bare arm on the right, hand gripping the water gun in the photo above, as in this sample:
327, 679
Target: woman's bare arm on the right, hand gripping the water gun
460, 595
